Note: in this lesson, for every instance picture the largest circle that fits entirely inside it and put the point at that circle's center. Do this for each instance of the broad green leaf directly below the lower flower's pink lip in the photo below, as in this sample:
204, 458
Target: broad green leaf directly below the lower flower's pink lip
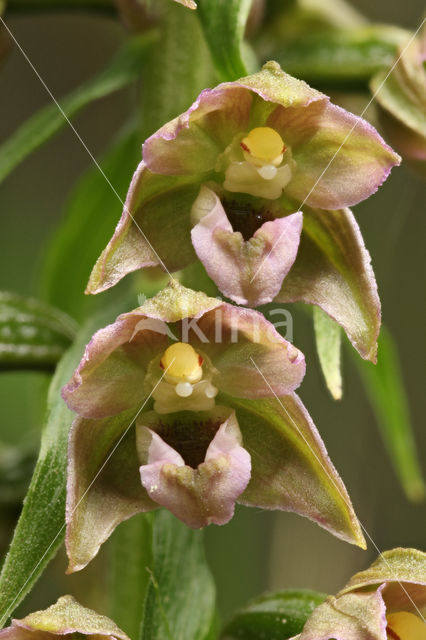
180, 601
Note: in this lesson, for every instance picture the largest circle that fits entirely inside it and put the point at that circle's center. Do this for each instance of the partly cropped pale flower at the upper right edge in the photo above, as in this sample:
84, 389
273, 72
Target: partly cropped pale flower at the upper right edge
400, 93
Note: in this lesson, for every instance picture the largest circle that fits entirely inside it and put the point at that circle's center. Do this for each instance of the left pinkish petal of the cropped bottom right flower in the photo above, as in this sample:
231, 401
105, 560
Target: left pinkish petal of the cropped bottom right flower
350, 617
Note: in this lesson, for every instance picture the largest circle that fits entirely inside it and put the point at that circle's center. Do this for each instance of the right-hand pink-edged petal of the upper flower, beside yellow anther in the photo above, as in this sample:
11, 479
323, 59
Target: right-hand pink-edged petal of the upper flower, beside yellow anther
340, 159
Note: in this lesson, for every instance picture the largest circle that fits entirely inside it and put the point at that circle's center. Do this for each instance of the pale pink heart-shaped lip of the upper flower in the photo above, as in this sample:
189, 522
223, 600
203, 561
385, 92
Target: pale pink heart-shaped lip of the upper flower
249, 272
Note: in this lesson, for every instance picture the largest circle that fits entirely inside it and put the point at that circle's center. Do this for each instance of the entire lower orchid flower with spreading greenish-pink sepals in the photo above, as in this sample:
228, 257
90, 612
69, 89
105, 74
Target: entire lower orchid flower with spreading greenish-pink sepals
188, 403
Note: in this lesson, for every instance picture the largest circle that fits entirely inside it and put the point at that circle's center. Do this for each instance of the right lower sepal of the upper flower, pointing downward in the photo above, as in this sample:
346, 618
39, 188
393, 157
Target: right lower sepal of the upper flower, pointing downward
333, 271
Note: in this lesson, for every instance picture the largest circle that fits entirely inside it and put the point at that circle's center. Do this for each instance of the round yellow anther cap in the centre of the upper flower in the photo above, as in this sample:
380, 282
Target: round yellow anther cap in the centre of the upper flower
263, 147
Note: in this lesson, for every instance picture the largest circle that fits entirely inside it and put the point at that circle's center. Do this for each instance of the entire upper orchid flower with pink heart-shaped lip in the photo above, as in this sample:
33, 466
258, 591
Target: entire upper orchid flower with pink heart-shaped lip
261, 149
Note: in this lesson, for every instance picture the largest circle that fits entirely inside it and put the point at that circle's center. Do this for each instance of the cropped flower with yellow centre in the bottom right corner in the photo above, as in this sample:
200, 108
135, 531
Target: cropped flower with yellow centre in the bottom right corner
387, 601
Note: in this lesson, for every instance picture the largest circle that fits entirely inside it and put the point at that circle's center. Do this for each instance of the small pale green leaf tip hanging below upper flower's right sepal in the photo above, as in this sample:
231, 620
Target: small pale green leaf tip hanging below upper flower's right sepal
328, 340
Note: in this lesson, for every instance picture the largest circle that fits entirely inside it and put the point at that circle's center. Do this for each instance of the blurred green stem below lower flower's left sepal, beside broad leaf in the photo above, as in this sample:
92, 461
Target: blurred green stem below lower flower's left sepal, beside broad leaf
129, 558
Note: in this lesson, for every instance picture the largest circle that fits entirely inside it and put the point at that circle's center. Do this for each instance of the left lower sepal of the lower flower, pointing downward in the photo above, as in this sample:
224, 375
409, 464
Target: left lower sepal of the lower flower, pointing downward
103, 484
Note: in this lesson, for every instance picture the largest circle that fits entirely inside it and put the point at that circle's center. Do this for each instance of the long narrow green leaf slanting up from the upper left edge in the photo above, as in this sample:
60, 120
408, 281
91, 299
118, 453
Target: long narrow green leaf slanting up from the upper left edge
121, 71
